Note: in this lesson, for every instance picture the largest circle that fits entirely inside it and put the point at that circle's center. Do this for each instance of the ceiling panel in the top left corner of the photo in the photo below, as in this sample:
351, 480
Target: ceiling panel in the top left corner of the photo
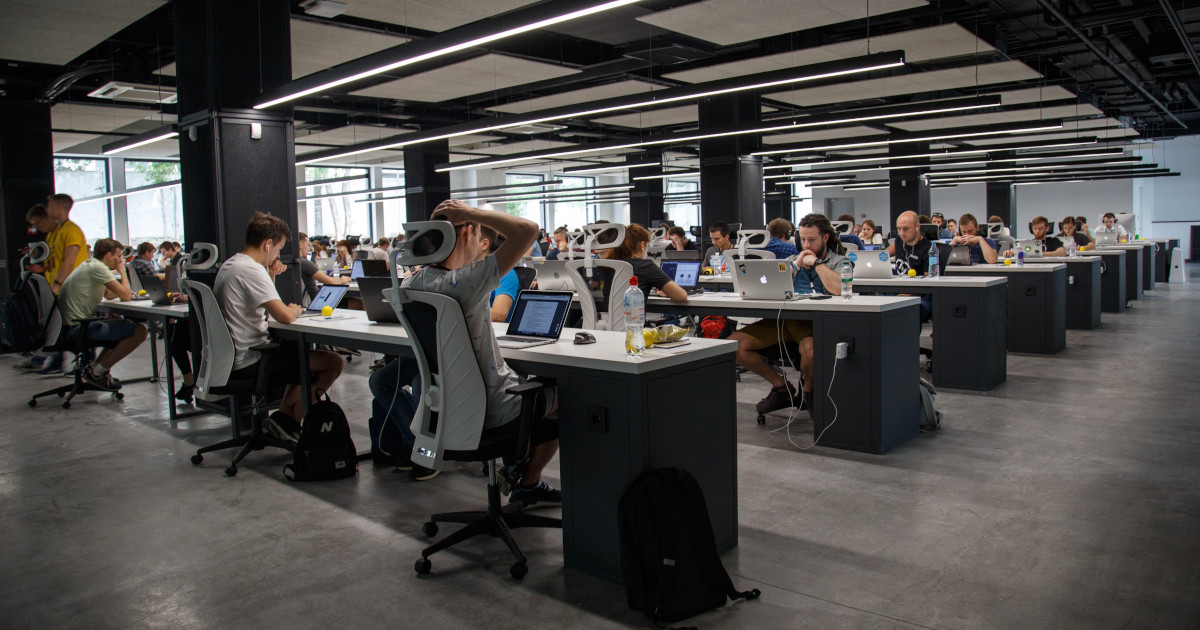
56, 32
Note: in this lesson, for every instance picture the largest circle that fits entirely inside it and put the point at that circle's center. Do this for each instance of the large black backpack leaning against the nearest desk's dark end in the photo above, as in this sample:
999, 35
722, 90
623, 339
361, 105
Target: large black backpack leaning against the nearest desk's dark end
669, 557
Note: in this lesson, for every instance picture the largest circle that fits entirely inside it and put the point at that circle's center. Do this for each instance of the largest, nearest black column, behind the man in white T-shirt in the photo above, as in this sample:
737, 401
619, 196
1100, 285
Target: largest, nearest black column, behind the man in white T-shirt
236, 161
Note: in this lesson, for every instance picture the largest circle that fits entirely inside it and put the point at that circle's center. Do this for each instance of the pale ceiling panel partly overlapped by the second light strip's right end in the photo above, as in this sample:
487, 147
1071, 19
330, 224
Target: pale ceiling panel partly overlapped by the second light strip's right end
921, 45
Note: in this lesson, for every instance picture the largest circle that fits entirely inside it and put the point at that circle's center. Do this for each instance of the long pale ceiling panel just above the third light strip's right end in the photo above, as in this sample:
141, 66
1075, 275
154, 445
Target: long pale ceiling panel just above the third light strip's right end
915, 83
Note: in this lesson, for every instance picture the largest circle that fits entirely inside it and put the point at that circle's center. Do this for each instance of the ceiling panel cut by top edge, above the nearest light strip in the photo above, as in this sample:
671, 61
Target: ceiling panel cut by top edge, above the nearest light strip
431, 15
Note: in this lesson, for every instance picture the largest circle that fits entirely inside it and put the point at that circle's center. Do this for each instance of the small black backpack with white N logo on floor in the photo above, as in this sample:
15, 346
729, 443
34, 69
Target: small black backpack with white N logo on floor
326, 449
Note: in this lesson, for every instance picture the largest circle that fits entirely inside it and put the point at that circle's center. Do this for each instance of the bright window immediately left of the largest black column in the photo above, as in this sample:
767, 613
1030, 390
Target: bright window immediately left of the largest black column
155, 215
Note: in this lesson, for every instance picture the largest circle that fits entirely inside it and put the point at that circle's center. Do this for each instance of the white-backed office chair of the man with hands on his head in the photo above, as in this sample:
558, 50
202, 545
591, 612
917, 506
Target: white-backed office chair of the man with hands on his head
449, 422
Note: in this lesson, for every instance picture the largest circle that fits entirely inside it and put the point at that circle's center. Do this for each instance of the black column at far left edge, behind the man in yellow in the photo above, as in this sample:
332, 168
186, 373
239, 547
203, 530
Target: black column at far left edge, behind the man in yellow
27, 177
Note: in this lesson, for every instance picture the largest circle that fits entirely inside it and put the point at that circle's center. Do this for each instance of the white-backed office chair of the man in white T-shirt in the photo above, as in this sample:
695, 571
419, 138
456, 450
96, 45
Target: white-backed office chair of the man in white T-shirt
213, 375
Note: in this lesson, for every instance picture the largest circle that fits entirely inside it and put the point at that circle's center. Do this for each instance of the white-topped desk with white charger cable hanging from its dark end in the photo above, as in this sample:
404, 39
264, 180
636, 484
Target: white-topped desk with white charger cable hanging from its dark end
875, 387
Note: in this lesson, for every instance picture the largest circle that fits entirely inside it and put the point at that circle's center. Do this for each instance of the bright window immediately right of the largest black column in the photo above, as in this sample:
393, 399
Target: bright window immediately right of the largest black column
339, 214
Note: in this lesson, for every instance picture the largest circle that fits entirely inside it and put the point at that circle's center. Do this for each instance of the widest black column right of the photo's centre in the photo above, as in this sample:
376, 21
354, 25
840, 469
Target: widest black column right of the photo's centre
730, 178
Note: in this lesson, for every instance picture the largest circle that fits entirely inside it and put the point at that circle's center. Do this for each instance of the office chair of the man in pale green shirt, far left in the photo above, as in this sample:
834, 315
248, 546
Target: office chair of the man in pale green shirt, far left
51, 320
